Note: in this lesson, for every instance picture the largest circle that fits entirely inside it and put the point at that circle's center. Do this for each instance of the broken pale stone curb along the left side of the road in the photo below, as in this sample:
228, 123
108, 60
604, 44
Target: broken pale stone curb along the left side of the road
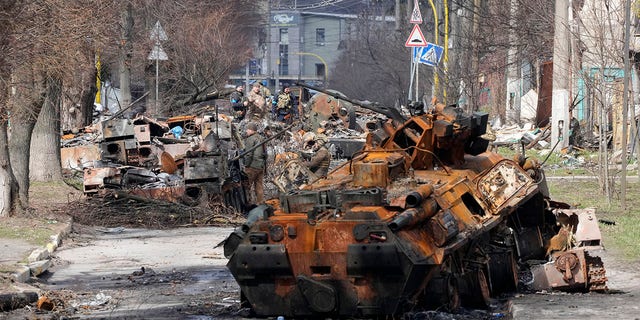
39, 262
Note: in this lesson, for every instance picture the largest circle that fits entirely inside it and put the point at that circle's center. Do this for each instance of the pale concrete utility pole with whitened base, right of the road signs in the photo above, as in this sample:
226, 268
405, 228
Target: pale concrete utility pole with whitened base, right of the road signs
560, 99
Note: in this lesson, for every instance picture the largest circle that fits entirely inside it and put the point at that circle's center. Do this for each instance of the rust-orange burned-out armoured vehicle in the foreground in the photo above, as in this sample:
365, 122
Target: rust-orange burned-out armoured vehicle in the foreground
422, 216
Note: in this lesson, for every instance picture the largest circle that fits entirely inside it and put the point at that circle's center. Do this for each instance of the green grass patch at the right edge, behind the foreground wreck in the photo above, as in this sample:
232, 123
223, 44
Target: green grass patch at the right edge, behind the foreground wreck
621, 237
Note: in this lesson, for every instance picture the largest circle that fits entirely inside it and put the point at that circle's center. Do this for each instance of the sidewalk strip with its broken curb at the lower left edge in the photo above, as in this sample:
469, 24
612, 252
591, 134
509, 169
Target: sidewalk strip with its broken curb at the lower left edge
26, 245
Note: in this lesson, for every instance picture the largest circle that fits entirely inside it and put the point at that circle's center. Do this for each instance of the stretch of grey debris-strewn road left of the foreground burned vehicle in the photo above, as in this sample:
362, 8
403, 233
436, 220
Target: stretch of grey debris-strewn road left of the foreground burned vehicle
97, 273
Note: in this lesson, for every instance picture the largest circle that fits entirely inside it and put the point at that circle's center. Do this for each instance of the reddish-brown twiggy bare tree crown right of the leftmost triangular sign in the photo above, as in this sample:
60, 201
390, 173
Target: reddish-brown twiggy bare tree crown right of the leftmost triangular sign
209, 41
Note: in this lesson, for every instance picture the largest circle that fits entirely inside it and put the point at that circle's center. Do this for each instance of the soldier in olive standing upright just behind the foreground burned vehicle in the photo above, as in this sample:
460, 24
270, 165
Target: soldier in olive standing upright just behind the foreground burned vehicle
254, 162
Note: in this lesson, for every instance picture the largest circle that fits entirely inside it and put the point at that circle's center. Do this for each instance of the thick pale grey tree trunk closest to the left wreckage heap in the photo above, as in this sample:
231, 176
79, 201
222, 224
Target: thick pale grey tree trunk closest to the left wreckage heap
45, 141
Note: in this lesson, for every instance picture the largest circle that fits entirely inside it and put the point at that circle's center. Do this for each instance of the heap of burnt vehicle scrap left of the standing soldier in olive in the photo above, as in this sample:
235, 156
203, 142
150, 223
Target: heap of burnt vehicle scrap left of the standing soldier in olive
183, 159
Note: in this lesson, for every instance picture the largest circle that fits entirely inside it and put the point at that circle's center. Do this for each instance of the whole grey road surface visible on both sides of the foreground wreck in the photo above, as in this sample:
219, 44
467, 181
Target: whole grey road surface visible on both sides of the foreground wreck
98, 273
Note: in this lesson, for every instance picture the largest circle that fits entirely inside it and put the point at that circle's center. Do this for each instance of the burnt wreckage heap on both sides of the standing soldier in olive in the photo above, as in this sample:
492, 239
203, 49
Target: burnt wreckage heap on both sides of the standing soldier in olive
189, 163
